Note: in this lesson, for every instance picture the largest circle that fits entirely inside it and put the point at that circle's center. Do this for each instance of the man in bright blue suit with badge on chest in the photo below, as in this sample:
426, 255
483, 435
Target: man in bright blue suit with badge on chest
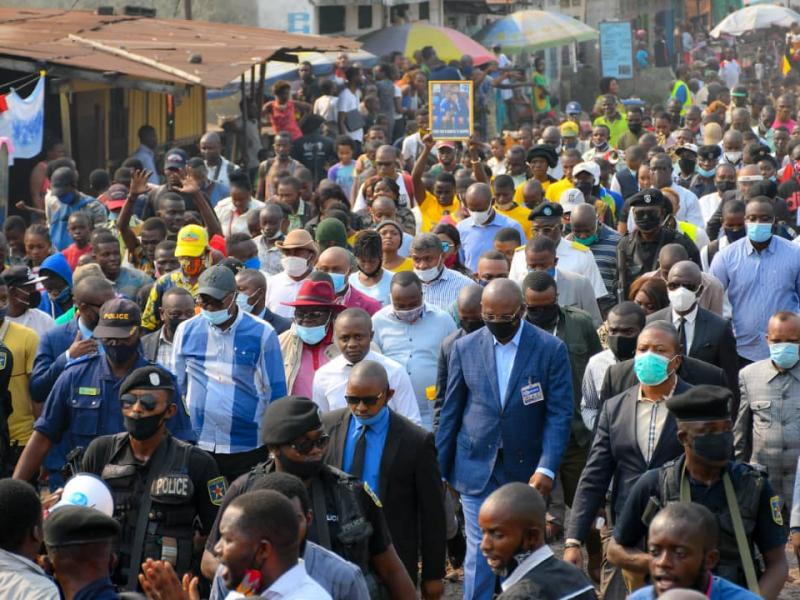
506, 414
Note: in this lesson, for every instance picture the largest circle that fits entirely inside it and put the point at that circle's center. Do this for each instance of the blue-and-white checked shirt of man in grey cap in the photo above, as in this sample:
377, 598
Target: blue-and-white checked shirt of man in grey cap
230, 376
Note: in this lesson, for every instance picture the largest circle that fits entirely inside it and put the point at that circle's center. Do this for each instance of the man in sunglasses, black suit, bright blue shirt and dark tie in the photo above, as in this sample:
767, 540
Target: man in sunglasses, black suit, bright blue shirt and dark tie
397, 459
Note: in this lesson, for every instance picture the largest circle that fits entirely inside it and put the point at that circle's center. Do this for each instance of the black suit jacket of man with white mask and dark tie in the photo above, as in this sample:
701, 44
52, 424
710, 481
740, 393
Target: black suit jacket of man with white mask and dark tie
713, 343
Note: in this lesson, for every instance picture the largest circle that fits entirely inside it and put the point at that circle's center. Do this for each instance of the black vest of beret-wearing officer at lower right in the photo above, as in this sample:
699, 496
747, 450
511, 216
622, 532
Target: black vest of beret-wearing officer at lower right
748, 485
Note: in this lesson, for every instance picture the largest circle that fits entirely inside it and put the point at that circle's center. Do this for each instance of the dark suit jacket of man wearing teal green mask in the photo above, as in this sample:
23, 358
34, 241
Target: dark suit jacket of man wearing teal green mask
615, 454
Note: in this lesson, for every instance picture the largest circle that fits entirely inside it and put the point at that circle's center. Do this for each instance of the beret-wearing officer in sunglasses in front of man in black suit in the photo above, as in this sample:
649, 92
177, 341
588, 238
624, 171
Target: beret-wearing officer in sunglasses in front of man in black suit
348, 517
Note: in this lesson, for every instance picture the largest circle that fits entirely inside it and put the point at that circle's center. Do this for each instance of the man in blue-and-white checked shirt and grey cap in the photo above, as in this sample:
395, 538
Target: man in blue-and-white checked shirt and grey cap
229, 362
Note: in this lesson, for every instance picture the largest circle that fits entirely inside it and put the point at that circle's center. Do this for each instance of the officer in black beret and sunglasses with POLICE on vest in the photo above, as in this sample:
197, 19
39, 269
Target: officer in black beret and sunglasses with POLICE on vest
164, 489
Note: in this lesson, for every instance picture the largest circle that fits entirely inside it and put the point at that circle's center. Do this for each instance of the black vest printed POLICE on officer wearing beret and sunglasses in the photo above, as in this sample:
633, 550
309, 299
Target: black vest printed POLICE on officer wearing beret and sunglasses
170, 524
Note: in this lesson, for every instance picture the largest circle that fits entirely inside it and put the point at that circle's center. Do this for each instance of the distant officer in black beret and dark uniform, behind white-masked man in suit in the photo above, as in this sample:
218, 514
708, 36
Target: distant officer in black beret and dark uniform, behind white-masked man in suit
637, 251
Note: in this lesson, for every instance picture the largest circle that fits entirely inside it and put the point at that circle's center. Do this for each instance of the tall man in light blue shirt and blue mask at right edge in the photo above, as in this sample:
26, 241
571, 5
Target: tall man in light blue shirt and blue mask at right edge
761, 274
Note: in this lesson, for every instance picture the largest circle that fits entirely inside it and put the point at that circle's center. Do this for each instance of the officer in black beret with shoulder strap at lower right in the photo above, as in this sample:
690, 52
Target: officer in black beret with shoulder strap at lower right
739, 494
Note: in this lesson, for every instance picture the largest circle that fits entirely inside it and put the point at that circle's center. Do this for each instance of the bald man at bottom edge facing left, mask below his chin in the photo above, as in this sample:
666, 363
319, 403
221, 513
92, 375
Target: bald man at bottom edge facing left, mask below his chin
512, 522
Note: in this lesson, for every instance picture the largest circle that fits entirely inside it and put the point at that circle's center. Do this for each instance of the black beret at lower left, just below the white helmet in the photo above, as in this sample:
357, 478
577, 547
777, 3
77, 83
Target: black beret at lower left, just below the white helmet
71, 525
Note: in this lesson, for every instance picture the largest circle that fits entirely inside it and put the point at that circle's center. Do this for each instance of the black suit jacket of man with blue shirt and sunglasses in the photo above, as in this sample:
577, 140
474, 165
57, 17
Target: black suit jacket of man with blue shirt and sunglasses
410, 490
